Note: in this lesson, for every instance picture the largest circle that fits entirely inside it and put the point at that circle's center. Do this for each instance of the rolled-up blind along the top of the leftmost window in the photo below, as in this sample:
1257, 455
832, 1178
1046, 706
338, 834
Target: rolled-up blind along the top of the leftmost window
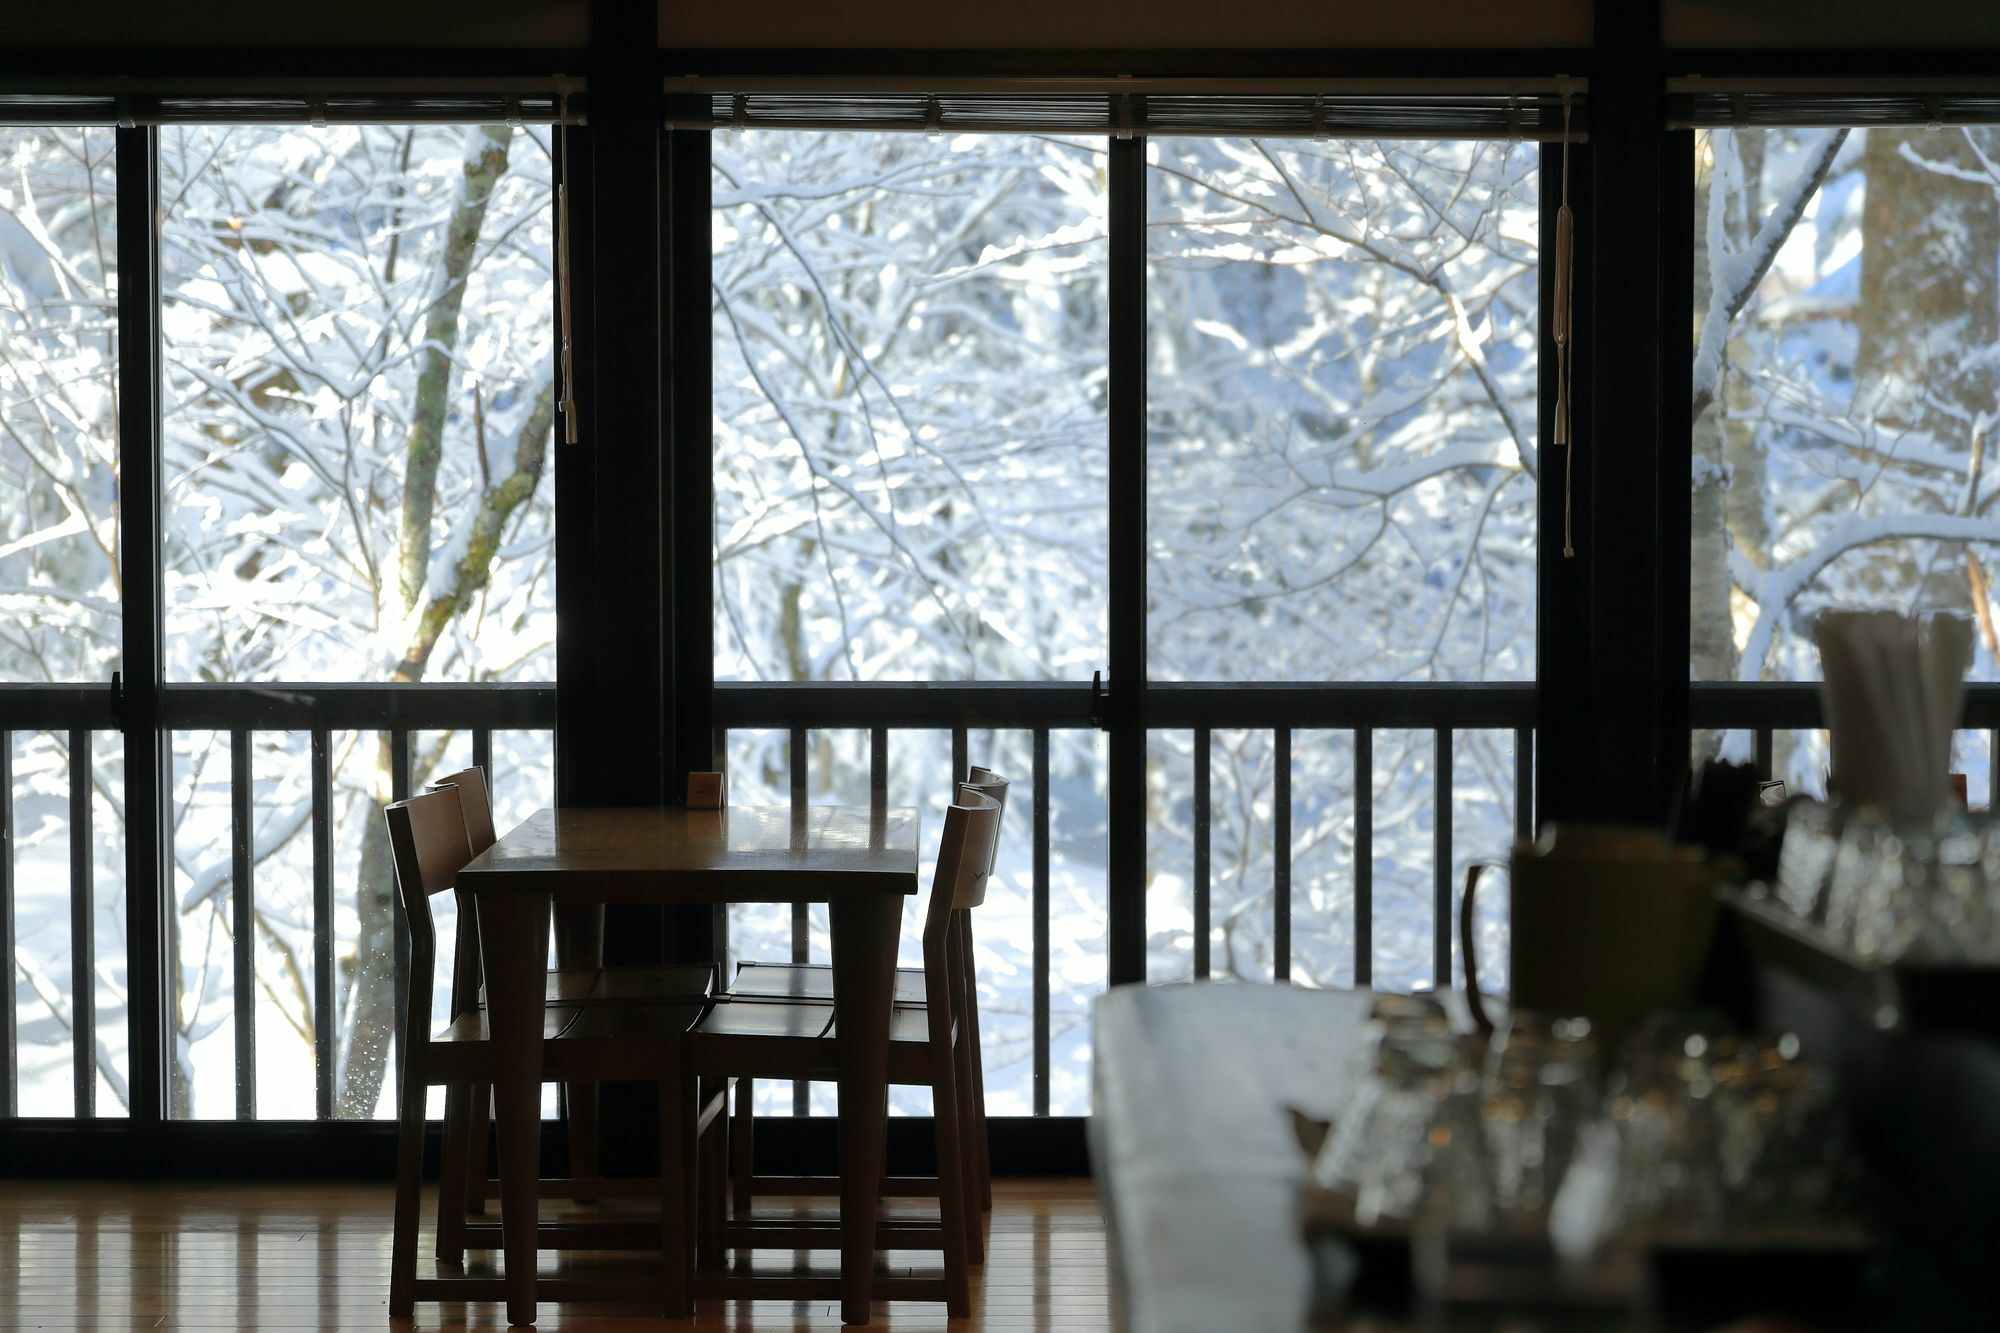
297, 105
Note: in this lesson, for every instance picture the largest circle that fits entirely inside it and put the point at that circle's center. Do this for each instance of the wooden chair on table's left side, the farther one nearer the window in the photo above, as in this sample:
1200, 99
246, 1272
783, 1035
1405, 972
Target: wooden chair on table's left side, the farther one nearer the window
575, 982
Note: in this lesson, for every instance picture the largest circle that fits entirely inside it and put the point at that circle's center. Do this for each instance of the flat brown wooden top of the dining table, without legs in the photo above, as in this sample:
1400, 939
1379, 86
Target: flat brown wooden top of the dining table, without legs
677, 856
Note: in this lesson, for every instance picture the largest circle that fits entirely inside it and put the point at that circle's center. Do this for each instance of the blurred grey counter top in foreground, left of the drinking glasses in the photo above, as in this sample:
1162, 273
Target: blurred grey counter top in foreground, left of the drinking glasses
1195, 1156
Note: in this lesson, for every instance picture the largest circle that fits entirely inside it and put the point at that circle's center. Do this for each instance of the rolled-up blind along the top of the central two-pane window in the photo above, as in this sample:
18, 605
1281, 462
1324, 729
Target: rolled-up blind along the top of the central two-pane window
1275, 115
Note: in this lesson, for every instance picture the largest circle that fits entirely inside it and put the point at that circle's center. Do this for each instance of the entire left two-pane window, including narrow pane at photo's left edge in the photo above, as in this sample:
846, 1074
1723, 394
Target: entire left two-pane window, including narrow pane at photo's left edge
359, 391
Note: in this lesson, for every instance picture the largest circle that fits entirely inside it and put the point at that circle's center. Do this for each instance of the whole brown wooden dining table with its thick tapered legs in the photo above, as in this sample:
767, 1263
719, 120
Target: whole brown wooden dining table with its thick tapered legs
861, 862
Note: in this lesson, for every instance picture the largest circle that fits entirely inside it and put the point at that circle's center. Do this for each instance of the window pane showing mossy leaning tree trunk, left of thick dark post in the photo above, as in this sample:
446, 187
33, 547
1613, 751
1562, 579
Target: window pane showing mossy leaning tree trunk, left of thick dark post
359, 417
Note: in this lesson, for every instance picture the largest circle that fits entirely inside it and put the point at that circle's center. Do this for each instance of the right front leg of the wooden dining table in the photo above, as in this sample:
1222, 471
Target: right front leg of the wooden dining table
865, 932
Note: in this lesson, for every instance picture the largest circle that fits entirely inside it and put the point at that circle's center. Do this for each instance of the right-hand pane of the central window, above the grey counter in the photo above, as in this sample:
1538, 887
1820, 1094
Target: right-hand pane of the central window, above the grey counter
1343, 459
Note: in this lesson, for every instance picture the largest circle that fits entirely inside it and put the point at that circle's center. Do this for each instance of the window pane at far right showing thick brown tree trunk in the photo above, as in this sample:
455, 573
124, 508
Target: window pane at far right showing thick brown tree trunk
1847, 303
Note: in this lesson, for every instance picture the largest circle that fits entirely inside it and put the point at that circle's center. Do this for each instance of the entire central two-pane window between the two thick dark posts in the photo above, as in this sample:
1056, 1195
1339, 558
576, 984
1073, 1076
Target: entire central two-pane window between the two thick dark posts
913, 383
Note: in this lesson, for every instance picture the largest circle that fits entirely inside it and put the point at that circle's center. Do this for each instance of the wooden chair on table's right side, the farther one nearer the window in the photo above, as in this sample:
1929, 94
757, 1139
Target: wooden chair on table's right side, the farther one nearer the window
815, 982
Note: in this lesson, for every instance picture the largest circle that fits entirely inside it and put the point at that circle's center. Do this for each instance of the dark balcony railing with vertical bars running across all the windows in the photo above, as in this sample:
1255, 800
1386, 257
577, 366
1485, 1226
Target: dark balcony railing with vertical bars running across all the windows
83, 716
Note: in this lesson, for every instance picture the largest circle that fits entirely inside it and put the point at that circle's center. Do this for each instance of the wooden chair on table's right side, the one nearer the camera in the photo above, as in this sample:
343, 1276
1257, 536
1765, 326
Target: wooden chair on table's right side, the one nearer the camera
795, 1040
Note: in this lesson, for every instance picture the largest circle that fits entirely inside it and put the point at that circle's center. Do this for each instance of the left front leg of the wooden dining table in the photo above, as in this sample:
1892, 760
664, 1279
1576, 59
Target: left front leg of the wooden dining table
515, 944
